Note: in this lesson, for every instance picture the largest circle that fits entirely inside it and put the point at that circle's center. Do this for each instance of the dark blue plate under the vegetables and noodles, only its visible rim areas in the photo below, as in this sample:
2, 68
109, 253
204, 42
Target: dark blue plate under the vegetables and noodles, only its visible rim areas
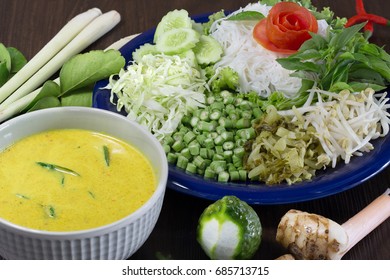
327, 182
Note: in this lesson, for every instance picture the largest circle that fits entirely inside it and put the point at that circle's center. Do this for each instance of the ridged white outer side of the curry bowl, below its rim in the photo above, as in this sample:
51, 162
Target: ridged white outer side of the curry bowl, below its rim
116, 245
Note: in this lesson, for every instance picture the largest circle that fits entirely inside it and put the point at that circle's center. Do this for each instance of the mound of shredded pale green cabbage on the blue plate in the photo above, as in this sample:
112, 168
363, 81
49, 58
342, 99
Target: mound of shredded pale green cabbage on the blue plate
158, 91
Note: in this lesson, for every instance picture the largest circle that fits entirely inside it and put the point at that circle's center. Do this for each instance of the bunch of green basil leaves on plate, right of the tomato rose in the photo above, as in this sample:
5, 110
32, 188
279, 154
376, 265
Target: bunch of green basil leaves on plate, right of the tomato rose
343, 60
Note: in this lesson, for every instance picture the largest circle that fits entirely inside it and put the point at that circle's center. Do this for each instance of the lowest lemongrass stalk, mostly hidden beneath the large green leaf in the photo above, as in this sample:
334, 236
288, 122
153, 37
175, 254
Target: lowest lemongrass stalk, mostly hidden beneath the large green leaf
19, 105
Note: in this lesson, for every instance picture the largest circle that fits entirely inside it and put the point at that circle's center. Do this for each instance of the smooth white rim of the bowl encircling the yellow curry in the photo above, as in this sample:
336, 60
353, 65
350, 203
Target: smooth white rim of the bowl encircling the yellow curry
101, 230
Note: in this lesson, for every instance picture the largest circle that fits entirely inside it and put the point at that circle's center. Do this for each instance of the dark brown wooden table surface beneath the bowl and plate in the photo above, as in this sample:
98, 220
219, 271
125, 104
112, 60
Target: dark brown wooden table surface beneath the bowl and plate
28, 25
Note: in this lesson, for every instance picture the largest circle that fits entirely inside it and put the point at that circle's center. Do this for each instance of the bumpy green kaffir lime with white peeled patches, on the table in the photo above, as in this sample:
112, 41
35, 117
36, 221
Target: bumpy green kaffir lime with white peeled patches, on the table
229, 229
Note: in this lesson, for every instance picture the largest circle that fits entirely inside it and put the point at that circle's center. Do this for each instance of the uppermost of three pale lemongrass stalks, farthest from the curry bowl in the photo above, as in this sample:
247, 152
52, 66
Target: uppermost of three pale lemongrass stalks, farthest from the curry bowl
62, 38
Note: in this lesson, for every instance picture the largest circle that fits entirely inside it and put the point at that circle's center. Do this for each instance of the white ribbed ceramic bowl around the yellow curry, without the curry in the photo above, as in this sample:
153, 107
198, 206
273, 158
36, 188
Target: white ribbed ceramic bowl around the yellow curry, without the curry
118, 240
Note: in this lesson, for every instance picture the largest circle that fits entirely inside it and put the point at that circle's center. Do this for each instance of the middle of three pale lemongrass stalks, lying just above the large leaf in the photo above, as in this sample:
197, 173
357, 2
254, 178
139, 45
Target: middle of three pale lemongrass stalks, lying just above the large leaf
93, 31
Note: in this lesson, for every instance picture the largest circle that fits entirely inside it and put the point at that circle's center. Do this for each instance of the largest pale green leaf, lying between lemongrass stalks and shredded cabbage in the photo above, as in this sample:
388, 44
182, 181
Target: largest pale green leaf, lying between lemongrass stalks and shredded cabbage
86, 69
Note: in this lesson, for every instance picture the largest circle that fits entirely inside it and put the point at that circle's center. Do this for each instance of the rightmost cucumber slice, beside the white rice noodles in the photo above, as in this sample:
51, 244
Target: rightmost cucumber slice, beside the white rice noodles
208, 50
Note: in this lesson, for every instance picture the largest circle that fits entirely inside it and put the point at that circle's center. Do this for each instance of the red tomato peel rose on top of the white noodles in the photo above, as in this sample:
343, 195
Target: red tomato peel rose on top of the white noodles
286, 27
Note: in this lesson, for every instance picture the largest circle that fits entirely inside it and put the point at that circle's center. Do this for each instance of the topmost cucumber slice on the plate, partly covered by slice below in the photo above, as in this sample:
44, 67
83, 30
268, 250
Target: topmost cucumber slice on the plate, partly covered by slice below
172, 20
